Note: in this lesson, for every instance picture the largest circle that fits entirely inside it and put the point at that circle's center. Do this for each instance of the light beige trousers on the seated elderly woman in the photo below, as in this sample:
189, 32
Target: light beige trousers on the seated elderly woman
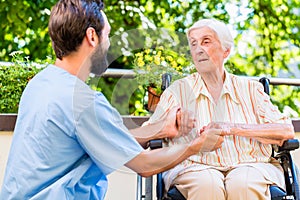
241, 183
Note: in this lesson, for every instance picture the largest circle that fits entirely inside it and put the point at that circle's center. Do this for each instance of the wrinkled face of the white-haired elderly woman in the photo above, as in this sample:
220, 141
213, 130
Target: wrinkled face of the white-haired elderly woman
206, 49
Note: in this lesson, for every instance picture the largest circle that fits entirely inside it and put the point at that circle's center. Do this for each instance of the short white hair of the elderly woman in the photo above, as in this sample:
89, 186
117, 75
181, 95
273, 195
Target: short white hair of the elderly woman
219, 27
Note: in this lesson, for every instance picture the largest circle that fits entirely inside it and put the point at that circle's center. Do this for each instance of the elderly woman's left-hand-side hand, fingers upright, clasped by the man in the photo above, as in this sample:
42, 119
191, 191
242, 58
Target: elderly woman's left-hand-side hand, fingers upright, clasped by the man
185, 121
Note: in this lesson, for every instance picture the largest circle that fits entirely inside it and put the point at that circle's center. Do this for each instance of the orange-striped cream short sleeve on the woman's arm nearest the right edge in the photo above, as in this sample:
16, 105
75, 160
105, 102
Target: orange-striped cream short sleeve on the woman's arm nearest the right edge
266, 112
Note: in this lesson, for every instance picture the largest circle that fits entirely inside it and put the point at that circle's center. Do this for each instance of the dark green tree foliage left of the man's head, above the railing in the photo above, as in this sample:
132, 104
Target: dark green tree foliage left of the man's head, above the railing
24, 26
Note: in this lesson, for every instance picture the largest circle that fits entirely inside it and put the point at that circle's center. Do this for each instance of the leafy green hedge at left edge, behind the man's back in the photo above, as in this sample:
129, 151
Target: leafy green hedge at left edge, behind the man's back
14, 78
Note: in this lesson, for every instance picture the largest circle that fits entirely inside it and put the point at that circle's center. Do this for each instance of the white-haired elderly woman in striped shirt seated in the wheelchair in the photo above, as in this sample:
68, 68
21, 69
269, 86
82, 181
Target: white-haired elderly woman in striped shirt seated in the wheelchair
243, 167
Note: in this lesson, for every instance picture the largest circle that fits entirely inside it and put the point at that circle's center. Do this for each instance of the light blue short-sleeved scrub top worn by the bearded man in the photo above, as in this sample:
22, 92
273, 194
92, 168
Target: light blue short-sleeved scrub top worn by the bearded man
66, 140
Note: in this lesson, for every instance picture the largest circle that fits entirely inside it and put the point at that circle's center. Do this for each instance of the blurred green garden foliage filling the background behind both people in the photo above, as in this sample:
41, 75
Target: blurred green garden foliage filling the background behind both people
266, 32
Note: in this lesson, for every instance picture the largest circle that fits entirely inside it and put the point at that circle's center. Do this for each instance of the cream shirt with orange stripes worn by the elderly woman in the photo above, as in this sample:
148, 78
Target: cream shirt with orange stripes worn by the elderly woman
241, 101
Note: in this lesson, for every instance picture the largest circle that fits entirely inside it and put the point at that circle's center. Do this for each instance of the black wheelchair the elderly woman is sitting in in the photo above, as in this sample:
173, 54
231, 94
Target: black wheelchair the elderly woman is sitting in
281, 153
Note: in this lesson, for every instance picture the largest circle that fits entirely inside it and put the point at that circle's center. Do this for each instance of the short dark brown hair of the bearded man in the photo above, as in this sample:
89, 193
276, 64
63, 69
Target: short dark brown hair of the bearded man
69, 21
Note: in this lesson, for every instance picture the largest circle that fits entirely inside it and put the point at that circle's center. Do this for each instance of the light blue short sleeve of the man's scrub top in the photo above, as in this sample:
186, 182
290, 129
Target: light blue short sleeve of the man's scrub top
101, 132
